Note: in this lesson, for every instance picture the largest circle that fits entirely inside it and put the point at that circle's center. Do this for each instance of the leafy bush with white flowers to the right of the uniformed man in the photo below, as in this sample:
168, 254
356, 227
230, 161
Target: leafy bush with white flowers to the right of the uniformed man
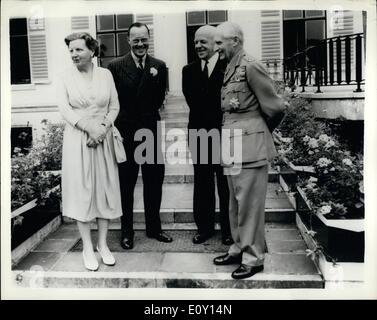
335, 189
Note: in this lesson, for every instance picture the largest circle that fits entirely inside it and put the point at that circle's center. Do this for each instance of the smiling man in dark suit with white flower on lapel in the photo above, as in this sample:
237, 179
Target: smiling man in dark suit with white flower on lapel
141, 83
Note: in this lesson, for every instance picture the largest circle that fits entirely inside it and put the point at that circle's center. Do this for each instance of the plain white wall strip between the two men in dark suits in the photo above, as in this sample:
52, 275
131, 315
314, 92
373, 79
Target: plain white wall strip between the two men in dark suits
170, 46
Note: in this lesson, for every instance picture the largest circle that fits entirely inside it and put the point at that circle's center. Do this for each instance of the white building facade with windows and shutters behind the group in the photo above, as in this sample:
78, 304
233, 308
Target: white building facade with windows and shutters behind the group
38, 52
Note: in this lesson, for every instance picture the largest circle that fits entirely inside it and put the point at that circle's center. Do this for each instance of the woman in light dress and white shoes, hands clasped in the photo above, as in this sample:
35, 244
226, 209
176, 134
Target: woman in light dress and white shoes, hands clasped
88, 101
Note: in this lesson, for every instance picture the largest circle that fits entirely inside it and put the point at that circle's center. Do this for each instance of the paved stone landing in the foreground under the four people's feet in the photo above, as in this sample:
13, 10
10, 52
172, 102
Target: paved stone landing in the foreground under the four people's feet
153, 264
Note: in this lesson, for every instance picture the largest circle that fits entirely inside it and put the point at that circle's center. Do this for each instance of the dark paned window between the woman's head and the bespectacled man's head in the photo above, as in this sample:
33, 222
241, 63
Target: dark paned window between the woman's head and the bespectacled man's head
112, 36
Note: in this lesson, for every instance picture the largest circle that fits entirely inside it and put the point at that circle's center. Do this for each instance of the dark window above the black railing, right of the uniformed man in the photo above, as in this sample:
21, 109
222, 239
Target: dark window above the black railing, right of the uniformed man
302, 29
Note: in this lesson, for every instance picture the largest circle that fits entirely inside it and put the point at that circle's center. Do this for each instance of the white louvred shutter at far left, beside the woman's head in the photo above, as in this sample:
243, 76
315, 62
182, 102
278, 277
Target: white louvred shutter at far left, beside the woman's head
38, 50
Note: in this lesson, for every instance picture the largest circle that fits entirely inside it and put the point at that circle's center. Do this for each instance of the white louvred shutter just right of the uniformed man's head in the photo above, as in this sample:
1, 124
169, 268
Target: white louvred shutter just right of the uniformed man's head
271, 41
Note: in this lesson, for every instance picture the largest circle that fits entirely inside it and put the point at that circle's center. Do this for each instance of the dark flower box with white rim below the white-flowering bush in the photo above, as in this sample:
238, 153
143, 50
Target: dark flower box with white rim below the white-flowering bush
341, 239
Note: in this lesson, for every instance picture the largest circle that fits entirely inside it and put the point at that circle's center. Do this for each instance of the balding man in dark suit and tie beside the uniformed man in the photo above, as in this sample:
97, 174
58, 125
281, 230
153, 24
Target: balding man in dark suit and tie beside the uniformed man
201, 84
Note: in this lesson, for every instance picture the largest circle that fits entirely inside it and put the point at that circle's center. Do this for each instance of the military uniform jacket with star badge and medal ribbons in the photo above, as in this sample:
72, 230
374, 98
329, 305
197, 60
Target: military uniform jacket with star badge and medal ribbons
249, 102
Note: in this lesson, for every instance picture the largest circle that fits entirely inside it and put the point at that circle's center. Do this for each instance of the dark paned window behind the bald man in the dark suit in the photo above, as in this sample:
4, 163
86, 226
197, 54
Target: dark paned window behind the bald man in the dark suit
196, 19
